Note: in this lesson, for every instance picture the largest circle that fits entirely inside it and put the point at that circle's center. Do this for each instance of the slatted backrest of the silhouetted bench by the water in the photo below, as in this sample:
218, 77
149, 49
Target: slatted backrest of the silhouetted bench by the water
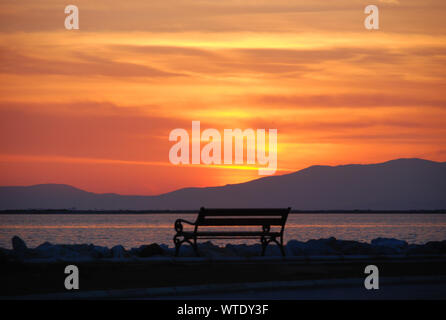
242, 217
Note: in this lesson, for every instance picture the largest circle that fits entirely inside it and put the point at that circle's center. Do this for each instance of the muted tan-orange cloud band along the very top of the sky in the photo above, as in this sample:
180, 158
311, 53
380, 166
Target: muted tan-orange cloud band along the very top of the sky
217, 16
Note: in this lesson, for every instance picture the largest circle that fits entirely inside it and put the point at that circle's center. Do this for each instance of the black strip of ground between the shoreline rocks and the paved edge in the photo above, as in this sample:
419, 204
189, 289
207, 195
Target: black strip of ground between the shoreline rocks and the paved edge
19, 278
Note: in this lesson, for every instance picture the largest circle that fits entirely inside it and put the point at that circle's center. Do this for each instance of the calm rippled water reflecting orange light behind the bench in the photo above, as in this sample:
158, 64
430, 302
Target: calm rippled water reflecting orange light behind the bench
132, 230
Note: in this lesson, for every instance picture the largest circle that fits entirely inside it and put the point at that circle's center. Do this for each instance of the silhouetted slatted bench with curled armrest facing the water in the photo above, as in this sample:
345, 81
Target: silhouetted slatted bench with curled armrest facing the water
263, 218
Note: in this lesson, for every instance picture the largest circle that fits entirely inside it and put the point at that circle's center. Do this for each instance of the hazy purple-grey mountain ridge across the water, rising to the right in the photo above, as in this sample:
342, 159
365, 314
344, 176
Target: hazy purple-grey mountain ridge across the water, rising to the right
402, 184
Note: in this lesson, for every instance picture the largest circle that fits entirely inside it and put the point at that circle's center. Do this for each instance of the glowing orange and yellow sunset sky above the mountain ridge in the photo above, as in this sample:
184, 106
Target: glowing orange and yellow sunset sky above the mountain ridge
93, 108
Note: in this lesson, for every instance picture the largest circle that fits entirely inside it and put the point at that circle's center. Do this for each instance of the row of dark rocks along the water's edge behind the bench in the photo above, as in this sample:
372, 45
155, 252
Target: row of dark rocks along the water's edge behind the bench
326, 247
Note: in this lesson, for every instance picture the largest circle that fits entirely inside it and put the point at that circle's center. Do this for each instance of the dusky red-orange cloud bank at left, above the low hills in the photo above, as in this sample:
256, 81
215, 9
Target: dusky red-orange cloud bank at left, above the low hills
85, 129
